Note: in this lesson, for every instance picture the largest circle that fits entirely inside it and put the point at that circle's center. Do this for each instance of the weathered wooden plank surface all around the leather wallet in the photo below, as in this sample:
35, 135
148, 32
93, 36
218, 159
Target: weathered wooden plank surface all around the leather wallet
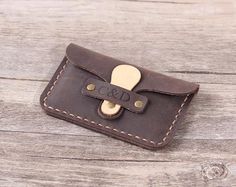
193, 40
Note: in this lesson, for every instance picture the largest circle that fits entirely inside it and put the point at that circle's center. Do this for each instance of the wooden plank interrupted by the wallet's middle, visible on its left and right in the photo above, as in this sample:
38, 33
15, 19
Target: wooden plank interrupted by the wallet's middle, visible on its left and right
212, 114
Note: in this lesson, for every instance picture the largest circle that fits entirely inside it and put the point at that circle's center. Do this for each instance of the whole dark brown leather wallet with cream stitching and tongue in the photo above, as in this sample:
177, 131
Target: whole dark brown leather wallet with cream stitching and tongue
116, 98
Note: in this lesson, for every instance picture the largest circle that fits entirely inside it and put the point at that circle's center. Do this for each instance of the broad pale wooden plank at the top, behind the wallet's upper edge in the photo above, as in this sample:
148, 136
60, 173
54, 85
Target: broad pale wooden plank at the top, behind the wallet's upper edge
197, 36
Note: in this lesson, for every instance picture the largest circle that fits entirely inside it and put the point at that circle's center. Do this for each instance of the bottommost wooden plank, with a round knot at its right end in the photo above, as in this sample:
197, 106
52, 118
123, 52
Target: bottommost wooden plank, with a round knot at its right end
38, 171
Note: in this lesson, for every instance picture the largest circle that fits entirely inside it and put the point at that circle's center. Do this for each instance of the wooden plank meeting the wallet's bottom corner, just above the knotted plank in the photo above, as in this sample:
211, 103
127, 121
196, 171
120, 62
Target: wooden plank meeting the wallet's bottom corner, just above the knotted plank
64, 146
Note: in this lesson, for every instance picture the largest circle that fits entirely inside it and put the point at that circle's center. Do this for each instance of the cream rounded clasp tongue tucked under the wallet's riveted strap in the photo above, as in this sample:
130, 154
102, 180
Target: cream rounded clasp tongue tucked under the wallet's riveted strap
125, 76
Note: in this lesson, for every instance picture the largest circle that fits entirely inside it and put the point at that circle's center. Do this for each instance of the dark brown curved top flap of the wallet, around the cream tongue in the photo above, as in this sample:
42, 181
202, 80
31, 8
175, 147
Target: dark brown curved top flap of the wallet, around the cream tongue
102, 66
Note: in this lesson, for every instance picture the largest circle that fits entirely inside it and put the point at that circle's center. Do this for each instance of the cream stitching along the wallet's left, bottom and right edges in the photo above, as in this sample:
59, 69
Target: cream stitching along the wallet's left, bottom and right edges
105, 126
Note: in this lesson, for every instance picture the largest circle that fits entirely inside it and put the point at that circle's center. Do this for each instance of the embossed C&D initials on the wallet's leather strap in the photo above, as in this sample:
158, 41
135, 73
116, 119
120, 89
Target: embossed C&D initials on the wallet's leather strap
114, 93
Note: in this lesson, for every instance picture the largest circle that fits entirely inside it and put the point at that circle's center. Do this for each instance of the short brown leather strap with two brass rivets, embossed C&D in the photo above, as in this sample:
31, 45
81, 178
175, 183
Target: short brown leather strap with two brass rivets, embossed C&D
130, 100
